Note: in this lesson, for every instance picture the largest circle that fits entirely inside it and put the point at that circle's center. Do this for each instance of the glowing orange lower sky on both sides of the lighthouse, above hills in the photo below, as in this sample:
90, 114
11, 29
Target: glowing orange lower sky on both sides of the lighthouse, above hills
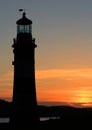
69, 86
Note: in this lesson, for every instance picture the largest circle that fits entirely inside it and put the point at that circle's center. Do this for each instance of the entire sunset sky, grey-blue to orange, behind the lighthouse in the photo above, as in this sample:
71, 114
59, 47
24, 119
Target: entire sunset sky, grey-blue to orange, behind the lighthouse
63, 57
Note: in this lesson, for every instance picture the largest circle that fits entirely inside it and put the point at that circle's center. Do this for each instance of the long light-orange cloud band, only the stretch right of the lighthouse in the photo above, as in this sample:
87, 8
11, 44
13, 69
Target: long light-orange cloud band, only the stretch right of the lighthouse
65, 74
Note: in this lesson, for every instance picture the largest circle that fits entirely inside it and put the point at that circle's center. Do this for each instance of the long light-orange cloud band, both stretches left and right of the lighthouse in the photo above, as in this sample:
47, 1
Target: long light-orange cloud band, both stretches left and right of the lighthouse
54, 73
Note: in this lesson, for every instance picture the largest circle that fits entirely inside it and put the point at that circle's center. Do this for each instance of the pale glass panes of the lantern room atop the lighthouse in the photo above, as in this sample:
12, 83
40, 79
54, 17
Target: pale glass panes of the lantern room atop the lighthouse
24, 29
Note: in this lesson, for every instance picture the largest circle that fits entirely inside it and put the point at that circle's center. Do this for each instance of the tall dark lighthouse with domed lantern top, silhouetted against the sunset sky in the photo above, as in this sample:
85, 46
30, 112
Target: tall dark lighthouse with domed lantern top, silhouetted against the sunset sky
24, 103
